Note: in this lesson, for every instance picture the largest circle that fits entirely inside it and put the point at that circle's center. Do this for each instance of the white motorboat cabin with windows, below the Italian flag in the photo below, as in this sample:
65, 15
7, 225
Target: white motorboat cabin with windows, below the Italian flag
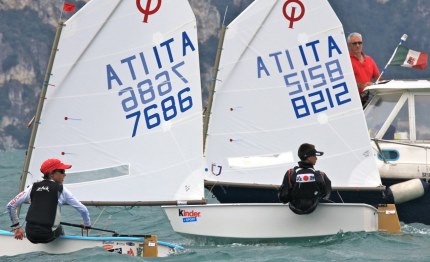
398, 120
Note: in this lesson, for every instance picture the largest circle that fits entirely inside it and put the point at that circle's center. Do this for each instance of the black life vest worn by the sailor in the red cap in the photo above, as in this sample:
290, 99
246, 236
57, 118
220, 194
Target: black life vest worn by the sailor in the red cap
44, 203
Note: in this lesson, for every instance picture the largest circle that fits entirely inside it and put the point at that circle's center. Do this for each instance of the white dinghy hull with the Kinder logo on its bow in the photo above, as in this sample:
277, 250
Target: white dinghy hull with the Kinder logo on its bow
270, 221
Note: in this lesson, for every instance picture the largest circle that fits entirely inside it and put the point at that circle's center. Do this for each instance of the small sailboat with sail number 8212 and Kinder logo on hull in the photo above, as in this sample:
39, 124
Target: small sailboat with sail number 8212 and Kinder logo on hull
284, 78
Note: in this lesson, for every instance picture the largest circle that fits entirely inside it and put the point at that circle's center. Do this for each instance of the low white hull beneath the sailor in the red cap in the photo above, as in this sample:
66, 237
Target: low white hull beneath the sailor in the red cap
124, 245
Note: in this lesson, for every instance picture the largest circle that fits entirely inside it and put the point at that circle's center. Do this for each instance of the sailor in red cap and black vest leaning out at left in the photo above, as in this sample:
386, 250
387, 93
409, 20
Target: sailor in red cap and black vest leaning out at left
45, 198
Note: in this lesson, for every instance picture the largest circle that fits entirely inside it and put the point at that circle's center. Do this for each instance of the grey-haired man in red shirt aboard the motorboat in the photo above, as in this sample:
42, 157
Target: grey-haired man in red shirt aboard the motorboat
365, 69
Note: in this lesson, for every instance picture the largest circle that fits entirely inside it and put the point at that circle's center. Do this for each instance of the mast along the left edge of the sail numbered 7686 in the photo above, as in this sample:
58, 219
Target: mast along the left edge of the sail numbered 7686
36, 118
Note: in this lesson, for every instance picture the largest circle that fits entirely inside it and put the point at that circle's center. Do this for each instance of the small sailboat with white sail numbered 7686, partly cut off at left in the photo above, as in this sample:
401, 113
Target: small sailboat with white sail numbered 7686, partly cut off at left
121, 102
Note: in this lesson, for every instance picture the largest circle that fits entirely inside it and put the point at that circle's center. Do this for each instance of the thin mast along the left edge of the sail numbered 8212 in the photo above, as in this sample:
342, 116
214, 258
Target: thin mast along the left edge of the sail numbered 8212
212, 85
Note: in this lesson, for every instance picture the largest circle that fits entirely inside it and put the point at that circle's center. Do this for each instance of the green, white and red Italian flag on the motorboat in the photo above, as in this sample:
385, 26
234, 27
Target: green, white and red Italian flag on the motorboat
409, 58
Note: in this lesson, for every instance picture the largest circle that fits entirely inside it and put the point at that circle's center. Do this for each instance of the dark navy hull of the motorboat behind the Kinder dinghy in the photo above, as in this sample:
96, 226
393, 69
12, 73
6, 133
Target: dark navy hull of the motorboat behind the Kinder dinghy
414, 211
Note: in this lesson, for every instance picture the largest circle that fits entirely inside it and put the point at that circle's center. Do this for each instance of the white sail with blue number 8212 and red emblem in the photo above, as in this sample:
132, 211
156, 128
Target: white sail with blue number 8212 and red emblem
284, 79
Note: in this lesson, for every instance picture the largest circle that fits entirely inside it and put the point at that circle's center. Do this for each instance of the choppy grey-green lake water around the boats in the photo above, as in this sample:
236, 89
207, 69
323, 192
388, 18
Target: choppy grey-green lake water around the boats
412, 245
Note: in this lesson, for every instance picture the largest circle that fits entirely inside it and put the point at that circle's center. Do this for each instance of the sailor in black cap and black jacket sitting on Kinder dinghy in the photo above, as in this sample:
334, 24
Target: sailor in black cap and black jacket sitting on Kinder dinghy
303, 186
